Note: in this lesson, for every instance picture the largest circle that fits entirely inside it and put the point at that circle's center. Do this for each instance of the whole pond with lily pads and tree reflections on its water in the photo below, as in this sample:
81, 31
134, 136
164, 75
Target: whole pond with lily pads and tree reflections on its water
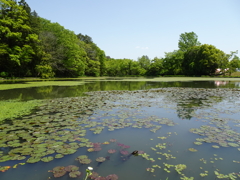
126, 130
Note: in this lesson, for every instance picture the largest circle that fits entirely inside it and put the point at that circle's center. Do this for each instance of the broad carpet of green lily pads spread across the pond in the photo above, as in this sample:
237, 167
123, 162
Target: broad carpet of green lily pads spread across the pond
59, 127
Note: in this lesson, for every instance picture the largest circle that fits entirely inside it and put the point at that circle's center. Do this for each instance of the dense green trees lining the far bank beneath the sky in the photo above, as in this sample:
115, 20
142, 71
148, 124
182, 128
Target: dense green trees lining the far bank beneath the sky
31, 46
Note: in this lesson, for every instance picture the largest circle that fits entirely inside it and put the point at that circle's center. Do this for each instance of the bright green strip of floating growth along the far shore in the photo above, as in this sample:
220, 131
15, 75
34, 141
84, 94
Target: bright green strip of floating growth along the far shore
28, 83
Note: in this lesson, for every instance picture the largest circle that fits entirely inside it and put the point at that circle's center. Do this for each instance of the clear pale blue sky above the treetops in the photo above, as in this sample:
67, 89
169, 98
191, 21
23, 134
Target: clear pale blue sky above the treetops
132, 28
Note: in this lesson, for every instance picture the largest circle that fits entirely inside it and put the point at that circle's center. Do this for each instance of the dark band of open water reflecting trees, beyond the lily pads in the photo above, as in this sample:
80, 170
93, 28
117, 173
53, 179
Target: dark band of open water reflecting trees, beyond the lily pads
49, 92
